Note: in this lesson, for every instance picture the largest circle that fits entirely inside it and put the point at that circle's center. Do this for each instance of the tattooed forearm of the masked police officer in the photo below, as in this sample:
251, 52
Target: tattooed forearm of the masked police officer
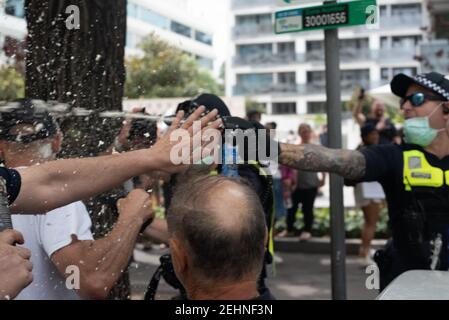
347, 163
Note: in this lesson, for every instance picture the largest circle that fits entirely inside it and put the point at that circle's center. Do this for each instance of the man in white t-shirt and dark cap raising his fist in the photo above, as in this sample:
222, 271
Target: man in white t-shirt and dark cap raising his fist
67, 262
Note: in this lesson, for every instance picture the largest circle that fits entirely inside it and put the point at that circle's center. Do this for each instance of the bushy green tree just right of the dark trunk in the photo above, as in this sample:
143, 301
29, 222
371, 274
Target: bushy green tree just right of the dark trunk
165, 71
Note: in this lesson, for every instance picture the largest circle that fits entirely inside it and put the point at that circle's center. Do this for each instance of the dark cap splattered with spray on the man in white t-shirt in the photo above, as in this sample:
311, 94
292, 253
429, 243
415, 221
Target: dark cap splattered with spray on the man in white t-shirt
27, 111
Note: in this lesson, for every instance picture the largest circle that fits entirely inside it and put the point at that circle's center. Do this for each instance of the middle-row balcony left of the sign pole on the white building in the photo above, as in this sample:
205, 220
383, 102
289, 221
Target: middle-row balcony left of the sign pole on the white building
268, 59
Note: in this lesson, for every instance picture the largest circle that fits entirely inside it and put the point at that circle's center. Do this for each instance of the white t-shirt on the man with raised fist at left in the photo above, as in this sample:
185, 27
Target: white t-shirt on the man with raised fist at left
44, 235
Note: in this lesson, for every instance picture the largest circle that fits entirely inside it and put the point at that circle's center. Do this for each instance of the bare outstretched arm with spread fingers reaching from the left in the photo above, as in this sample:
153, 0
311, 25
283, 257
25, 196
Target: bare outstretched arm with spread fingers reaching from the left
58, 183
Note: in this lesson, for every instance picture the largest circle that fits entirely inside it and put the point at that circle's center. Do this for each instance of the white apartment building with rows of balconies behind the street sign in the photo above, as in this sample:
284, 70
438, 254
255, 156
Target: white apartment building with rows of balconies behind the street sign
285, 73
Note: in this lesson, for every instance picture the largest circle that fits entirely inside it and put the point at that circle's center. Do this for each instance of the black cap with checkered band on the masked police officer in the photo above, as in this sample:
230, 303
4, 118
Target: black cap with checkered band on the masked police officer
433, 81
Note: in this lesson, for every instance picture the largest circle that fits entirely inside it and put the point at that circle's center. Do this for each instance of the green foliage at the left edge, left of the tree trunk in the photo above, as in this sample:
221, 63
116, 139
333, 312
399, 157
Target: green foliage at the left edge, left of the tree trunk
12, 83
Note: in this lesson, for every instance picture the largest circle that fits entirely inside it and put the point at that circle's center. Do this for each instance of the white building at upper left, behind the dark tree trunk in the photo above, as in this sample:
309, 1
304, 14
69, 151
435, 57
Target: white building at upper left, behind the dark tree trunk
167, 19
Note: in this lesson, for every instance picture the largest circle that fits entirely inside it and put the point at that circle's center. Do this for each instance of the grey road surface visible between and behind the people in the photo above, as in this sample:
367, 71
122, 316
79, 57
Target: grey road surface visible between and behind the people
298, 276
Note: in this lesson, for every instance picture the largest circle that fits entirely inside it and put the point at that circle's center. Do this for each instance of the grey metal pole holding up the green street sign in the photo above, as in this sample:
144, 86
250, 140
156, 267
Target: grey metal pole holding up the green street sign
333, 92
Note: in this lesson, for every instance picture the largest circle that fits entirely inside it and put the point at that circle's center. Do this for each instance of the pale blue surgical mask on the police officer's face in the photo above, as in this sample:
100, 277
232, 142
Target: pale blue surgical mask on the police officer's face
418, 130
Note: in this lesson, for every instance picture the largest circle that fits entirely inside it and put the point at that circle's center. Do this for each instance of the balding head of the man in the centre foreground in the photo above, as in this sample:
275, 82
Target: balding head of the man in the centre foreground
220, 224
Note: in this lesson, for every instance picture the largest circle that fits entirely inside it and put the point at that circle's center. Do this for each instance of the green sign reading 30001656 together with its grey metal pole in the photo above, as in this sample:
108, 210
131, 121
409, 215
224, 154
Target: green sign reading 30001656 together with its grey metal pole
330, 16
